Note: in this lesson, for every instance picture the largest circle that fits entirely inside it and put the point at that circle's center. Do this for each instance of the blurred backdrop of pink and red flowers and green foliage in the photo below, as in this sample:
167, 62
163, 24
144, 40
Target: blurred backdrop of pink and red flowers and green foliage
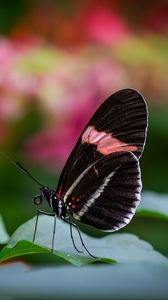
58, 61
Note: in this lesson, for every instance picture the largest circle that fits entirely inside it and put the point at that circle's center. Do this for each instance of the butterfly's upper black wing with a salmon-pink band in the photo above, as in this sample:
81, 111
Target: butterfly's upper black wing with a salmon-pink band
119, 124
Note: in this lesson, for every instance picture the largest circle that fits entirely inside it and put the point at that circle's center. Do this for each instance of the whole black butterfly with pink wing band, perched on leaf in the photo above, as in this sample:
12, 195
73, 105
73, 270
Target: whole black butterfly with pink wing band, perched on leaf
100, 184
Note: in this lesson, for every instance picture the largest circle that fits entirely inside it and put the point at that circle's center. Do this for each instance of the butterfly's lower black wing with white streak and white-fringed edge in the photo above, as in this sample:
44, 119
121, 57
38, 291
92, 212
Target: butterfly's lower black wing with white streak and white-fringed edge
109, 193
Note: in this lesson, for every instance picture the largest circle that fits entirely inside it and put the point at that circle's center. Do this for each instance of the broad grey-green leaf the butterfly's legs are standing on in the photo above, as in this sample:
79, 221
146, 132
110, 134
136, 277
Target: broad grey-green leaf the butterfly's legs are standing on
109, 249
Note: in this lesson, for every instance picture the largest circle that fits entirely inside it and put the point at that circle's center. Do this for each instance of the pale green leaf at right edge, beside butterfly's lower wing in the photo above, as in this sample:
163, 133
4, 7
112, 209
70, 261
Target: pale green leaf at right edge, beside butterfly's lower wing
154, 205
